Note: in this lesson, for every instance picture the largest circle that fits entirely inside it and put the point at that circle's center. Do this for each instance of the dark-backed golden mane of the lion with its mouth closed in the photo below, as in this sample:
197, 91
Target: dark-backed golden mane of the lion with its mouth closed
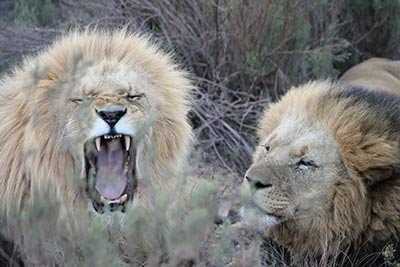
363, 205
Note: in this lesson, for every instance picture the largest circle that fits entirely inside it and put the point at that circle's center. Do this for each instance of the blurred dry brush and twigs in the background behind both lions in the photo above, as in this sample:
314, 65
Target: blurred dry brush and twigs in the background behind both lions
243, 54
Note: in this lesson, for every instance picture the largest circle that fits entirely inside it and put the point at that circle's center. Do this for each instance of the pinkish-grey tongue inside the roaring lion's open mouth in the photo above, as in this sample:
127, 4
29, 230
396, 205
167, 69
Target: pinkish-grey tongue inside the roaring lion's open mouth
110, 178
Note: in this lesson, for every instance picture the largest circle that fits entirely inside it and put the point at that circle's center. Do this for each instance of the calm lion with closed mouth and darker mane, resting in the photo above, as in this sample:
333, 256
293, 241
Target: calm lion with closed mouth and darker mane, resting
326, 174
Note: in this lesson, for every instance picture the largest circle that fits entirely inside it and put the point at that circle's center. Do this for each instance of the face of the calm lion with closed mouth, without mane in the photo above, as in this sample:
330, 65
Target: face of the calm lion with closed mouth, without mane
293, 171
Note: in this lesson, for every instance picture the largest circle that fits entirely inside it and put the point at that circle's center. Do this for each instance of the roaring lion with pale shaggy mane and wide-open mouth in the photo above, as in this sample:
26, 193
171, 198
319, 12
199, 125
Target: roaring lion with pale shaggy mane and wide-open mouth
98, 117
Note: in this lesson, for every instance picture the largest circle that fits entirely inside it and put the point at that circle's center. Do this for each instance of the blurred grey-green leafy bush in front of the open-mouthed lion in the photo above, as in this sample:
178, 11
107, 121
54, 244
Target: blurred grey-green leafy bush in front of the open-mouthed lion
170, 230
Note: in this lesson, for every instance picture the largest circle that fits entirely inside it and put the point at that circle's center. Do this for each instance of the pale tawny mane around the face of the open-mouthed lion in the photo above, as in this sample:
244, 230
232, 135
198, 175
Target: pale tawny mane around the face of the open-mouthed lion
41, 139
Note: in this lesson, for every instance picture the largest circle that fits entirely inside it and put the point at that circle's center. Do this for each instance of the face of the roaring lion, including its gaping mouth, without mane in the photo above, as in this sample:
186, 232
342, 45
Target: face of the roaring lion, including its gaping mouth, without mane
113, 116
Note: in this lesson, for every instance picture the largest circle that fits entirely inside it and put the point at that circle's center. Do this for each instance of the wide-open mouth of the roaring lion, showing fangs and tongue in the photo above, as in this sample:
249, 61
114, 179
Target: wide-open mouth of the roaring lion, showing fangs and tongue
110, 171
